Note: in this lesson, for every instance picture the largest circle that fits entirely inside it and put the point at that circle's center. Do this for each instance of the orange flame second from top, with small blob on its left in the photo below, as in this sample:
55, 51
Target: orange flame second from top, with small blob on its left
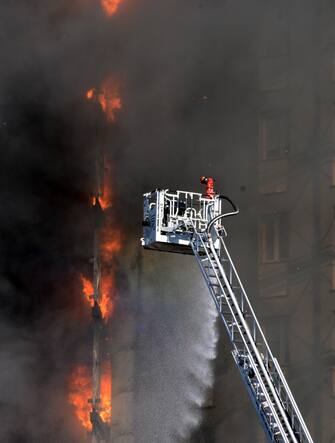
108, 97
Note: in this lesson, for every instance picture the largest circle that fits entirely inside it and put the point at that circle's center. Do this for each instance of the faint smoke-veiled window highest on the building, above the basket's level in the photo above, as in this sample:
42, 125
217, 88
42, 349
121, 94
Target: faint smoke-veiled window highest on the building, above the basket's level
273, 135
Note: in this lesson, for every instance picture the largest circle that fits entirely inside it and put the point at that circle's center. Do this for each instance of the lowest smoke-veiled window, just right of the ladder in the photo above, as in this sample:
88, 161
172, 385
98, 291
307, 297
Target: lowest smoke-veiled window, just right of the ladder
276, 333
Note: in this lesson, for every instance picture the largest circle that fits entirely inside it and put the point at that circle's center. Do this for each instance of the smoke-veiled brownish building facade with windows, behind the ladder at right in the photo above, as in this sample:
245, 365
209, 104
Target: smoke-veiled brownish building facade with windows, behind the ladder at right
291, 214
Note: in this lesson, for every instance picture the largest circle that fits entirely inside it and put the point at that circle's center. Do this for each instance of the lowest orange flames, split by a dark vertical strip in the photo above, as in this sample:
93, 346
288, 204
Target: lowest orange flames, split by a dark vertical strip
80, 391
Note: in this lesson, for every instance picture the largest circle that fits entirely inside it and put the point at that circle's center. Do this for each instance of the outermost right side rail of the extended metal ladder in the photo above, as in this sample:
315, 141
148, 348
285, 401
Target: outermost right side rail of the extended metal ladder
271, 359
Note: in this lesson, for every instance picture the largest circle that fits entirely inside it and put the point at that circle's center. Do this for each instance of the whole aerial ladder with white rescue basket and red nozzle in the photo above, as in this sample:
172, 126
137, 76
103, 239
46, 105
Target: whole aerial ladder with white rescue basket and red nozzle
192, 223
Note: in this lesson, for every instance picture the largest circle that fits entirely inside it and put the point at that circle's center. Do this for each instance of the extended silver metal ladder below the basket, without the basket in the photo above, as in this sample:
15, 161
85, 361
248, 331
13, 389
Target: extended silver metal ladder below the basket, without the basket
259, 369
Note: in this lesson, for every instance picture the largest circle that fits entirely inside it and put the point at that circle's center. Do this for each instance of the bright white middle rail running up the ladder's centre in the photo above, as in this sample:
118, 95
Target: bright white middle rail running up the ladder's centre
260, 361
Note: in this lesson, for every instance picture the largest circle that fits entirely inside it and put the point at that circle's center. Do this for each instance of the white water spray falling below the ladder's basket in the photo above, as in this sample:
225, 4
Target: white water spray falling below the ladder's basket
176, 346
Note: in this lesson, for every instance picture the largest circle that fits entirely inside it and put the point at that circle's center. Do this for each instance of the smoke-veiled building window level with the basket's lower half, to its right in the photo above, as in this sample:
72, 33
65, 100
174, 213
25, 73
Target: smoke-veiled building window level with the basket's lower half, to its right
273, 237
